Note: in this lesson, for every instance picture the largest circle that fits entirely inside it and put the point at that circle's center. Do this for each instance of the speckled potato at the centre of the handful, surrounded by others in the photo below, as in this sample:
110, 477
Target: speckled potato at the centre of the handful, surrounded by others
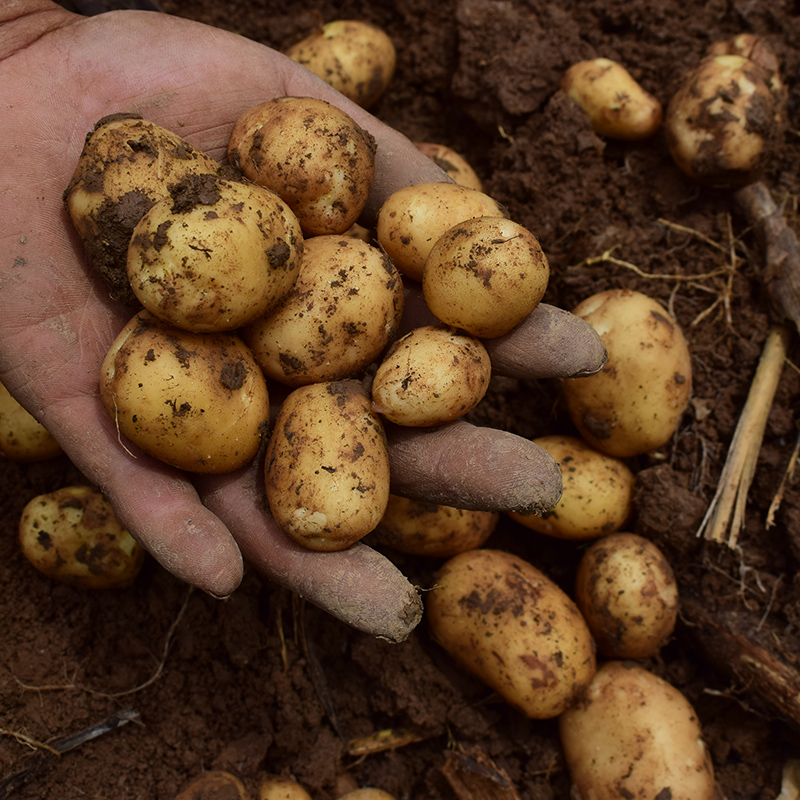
343, 310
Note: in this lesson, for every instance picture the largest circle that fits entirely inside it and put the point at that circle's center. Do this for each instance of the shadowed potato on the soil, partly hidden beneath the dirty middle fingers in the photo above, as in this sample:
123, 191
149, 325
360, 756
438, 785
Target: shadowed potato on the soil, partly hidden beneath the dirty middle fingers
420, 528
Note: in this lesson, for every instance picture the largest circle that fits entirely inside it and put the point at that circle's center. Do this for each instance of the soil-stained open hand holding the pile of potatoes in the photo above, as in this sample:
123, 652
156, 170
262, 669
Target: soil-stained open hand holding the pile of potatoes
59, 74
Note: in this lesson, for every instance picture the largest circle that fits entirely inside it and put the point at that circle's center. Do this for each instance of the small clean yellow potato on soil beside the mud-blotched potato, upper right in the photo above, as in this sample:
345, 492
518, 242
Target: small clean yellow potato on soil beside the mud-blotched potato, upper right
617, 105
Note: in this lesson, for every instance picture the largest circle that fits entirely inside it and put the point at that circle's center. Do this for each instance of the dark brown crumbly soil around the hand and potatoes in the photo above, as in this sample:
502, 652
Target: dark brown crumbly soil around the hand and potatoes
262, 683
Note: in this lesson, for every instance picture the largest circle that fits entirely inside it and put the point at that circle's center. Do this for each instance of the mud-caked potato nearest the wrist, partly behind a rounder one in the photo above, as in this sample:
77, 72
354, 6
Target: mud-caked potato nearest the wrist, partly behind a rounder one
127, 164
